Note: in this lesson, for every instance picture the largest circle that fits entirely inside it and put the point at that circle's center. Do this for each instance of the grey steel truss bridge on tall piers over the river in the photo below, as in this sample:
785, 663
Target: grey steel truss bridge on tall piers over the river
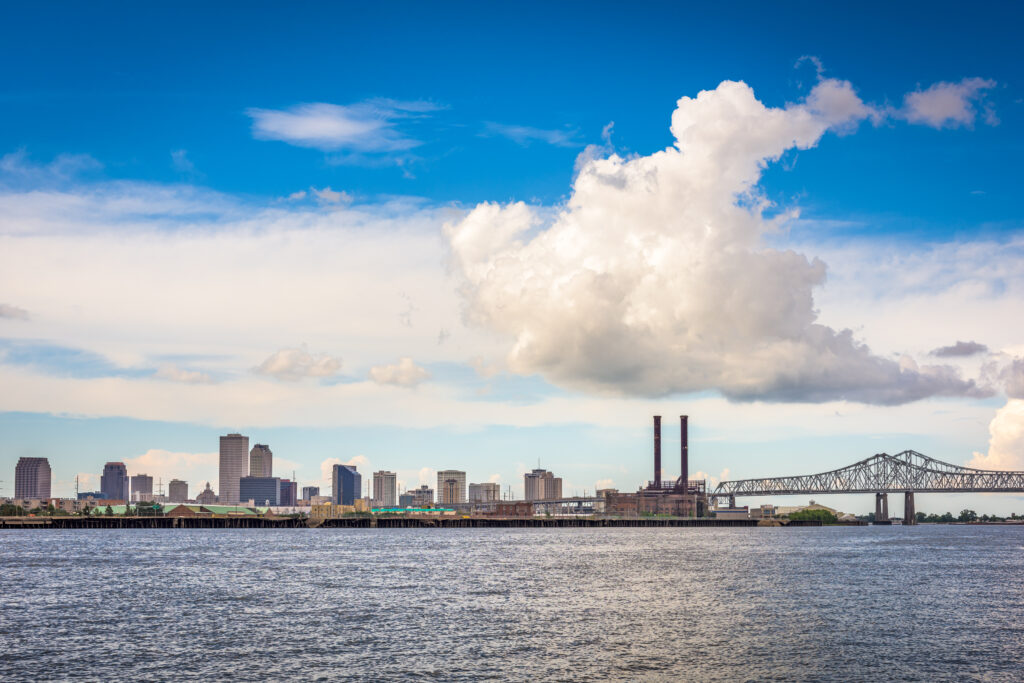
908, 473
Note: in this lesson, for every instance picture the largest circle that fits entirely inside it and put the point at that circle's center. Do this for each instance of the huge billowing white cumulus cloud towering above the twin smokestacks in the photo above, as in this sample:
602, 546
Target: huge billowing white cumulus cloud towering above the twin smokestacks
655, 278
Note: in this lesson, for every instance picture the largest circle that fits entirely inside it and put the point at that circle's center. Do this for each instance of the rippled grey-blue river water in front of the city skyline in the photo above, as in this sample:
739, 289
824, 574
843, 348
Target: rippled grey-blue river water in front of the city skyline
925, 604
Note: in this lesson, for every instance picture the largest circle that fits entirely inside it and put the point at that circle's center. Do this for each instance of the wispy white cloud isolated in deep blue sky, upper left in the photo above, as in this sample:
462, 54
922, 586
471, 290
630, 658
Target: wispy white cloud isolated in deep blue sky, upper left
369, 127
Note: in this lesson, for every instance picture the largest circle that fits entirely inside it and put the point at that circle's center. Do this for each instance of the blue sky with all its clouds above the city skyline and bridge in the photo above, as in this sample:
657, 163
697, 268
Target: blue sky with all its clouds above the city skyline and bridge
421, 237
